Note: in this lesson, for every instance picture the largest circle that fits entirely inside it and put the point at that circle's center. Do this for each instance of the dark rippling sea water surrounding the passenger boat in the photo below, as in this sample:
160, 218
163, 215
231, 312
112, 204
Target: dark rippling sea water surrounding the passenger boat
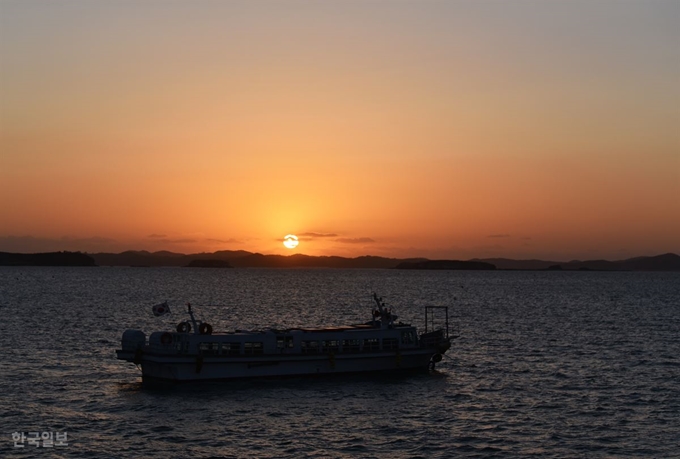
545, 364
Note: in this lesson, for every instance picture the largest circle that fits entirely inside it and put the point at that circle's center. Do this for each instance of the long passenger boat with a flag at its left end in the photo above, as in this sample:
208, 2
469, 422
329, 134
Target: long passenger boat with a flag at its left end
192, 352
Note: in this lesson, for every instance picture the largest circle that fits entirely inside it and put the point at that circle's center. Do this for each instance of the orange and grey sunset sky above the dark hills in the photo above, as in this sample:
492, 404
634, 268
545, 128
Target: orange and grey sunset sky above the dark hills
441, 129
